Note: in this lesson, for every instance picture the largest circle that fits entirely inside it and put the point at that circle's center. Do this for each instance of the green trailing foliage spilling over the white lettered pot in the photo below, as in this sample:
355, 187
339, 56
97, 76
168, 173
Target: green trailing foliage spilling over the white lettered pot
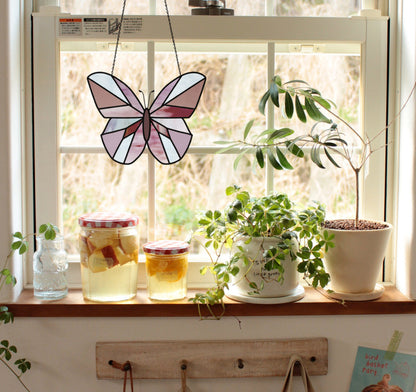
247, 217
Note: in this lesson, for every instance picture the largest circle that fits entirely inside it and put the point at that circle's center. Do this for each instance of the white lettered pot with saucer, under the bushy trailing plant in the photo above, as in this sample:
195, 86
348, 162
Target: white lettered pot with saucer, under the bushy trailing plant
286, 291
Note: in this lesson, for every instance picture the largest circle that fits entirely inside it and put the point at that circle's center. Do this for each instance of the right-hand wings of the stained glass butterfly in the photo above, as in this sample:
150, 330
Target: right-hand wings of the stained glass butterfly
169, 136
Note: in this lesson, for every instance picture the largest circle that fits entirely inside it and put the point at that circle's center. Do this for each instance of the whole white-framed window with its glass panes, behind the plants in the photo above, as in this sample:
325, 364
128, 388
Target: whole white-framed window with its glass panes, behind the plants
238, 54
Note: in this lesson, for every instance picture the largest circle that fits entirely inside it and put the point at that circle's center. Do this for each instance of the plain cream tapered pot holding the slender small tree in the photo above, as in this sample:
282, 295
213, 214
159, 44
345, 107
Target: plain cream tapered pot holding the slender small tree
355, 262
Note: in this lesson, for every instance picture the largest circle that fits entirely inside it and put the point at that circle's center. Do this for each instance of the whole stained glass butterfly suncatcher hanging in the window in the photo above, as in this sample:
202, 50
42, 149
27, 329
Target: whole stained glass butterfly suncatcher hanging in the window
132, 126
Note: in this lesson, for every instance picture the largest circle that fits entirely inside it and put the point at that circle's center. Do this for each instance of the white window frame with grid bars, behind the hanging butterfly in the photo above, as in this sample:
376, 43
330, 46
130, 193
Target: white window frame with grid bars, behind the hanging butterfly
369, 33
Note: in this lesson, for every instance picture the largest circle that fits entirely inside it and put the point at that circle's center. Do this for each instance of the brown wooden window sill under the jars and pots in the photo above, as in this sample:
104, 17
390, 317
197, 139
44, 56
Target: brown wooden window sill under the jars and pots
314, 303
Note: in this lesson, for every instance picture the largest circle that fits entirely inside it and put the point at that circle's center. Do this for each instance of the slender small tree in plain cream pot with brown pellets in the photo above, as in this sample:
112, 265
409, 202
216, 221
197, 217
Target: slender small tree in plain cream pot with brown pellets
356, 259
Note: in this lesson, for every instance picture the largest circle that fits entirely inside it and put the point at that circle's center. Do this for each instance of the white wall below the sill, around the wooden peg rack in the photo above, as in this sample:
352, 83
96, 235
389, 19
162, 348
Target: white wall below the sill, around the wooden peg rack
63, 350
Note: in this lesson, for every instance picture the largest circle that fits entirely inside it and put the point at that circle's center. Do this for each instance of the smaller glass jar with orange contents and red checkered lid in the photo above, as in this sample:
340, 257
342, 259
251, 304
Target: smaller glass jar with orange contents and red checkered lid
166, 268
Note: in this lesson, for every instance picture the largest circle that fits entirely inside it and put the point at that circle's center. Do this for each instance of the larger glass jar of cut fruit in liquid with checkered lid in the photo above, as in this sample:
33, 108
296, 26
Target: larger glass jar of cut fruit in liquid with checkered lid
109, 249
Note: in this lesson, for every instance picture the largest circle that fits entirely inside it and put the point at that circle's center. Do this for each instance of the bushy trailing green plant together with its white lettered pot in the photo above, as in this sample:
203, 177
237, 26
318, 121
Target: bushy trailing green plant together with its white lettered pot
257, 247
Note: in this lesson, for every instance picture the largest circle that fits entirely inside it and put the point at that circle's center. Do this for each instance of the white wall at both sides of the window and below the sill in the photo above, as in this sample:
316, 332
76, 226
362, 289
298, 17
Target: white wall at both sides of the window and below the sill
62, 350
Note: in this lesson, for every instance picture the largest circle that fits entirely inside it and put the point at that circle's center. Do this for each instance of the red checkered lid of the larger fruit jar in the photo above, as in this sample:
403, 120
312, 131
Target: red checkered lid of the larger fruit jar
108, 220
